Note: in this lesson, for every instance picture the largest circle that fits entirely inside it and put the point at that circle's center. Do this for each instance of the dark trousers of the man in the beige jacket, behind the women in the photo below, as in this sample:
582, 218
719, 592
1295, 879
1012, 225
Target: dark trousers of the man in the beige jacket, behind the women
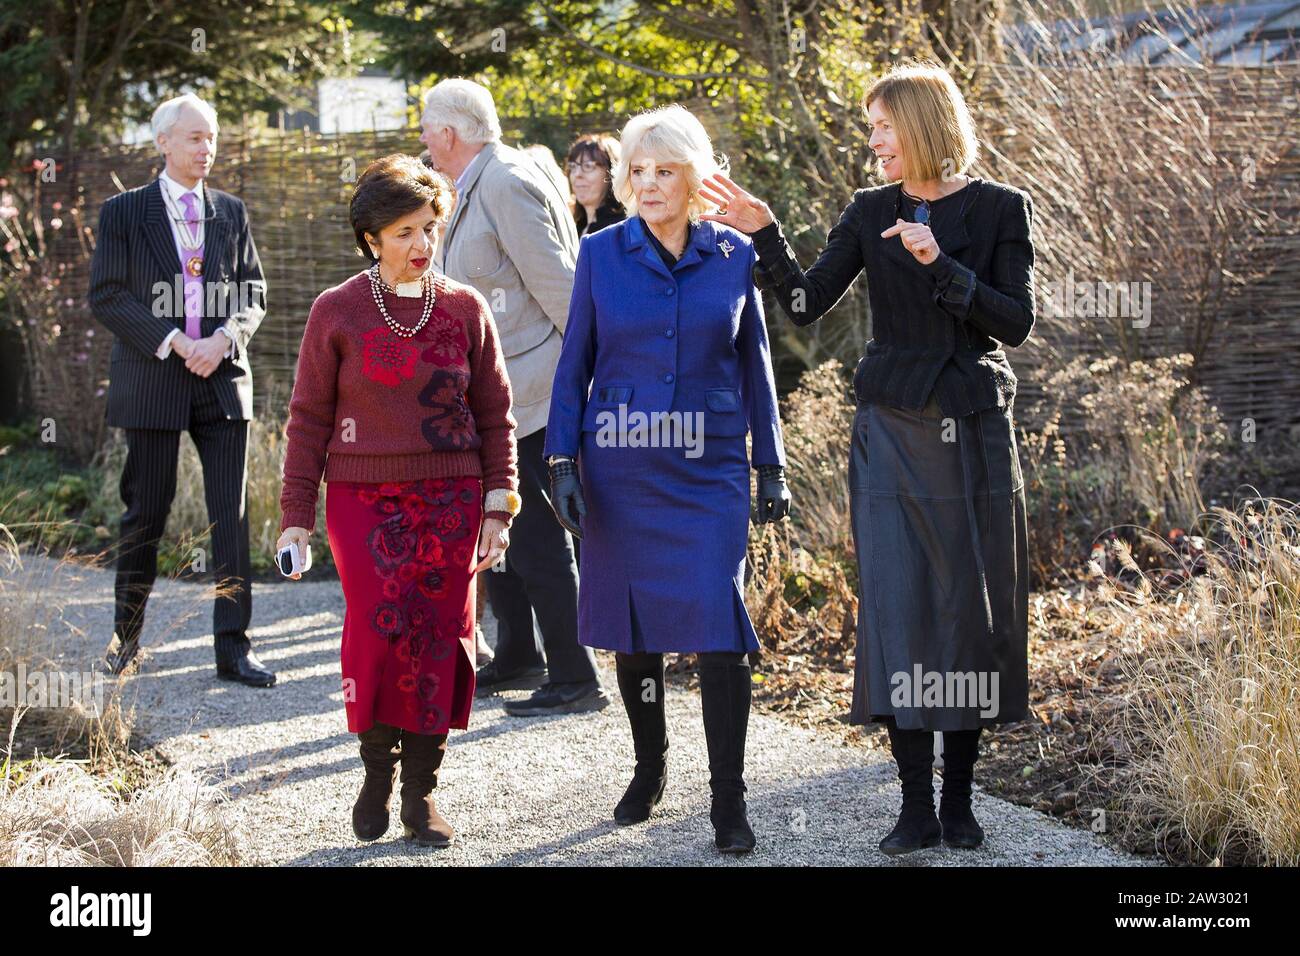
540, 578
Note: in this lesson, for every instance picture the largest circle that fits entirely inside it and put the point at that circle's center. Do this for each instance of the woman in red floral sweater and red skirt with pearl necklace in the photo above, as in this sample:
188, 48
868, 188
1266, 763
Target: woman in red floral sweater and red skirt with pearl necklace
401, 403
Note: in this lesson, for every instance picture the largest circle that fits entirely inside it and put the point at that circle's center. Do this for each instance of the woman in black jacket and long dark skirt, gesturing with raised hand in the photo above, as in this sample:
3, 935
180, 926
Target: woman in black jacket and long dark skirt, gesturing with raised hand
938, 501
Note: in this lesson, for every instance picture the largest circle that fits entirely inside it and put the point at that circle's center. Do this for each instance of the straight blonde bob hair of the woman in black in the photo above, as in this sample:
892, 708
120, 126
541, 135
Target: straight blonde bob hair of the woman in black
935, 128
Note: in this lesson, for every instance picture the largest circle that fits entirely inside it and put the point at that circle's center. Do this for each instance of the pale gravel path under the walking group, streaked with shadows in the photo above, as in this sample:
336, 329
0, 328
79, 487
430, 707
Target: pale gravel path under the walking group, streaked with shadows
518, 790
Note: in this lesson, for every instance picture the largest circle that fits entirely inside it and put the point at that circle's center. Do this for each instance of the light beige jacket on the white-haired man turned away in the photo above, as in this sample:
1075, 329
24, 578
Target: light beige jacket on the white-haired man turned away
513, 239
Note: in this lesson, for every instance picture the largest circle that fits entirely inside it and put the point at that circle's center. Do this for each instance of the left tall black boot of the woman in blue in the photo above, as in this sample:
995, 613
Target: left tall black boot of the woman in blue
642, 686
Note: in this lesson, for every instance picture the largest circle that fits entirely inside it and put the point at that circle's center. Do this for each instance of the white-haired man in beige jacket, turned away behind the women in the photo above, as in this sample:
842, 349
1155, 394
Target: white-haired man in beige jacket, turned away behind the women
513, 239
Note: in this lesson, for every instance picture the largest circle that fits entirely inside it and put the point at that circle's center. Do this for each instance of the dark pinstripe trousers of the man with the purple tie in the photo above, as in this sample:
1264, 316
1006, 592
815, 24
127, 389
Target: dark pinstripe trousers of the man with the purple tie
149, 488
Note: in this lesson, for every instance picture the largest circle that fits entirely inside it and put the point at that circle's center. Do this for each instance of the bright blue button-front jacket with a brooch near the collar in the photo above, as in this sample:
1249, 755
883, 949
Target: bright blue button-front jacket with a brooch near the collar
692, 340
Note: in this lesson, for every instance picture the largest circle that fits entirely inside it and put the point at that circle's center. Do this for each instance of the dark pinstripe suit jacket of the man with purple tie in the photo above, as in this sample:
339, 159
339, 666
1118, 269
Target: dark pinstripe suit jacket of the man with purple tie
137, 292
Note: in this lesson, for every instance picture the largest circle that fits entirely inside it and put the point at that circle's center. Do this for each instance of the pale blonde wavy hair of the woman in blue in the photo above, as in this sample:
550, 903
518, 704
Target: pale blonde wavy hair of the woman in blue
669, 135
